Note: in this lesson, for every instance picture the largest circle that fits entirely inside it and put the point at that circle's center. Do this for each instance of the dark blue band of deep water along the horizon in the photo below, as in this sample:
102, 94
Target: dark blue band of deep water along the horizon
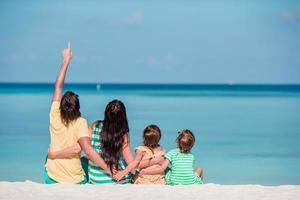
158, 86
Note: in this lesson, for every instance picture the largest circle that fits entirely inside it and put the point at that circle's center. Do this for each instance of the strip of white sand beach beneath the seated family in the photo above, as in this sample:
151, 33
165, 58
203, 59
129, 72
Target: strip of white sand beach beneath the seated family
37, 191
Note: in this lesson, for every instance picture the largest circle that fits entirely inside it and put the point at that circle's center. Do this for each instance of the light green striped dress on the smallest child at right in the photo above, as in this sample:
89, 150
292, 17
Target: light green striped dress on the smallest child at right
181, 169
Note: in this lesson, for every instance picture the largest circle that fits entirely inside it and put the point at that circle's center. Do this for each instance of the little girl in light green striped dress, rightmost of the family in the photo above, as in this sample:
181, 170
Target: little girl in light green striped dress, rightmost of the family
180, 162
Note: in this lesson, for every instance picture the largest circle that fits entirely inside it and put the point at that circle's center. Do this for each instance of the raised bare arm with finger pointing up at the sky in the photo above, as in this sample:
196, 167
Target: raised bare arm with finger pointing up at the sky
59, 83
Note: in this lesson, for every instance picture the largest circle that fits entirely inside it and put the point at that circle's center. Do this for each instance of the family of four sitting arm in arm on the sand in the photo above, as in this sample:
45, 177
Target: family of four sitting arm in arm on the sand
106, 144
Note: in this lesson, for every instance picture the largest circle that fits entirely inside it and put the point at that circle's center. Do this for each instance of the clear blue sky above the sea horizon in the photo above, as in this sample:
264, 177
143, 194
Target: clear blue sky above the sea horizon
152, 41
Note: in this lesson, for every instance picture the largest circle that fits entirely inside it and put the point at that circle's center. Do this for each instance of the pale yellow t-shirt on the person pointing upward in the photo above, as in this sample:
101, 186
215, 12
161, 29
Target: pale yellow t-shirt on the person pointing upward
67, 170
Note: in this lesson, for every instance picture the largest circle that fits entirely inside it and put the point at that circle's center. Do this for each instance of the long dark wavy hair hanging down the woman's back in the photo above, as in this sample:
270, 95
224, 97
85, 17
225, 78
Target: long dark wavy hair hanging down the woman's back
115, 126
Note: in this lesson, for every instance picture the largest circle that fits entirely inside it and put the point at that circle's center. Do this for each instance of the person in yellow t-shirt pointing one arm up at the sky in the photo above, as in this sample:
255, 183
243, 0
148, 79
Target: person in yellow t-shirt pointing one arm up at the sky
68, 130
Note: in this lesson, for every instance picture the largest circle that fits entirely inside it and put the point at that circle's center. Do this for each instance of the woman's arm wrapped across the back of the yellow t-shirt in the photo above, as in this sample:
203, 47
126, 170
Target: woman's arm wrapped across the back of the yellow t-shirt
64, 153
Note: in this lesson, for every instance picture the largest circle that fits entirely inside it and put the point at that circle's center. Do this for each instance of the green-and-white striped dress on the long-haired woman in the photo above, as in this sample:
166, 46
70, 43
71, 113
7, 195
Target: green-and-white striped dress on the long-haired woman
96, 173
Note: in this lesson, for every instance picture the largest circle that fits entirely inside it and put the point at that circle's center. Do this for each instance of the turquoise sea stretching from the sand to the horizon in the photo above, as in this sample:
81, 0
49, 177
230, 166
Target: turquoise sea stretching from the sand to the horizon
245, 134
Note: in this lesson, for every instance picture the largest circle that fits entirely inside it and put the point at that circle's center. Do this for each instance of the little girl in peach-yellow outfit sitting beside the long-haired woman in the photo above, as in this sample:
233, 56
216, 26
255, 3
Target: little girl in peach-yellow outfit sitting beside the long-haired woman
149, 150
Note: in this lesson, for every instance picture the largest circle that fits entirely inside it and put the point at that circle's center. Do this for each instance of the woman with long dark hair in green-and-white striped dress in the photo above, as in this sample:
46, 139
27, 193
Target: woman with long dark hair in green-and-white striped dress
110, 138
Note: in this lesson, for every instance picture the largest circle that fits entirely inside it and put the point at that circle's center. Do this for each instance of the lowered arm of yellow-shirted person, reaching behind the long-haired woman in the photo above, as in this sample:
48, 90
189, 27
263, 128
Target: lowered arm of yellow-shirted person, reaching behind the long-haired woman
85, 144
